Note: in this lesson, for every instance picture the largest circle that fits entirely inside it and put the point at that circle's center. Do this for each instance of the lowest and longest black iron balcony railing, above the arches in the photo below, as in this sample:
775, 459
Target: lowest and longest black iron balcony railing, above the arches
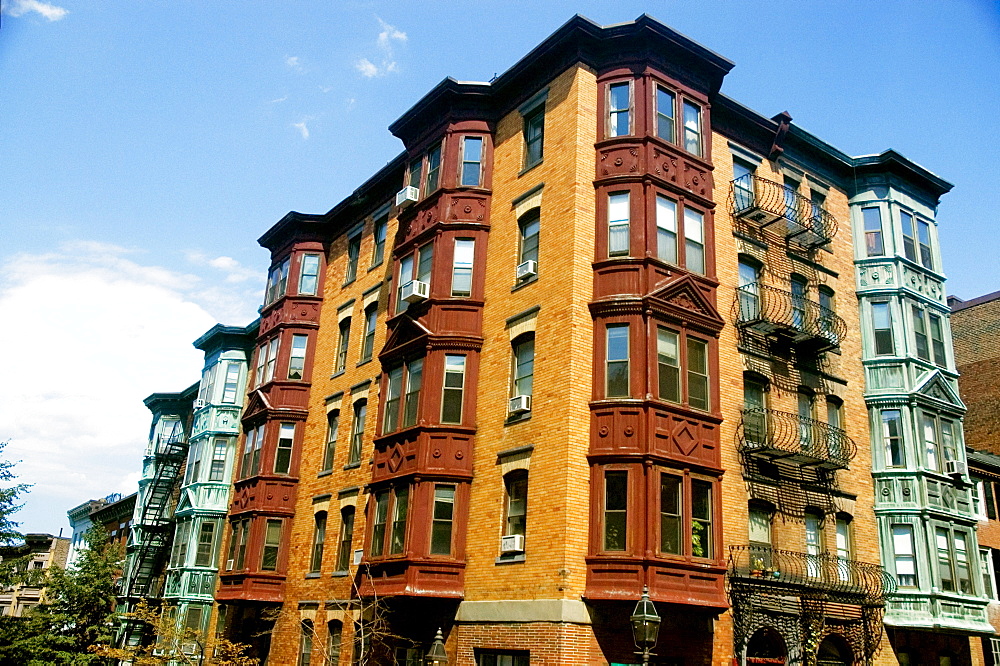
785, 572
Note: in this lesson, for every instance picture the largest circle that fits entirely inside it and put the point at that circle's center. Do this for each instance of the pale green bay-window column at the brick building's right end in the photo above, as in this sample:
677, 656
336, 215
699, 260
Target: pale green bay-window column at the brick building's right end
923, 497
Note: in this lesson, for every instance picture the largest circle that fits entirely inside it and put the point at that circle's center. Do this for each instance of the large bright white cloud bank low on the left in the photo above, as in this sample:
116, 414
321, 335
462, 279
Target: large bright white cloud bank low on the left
98, 330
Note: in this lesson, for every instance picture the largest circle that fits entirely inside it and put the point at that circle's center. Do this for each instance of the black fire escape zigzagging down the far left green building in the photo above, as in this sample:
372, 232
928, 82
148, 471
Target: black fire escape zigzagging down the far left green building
153, 530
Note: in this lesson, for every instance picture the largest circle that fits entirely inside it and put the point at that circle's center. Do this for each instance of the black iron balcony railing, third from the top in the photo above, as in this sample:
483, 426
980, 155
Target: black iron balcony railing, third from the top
782, 435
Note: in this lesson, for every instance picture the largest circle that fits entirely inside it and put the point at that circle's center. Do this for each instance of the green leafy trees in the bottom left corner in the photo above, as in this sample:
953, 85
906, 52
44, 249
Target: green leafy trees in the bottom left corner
78, 611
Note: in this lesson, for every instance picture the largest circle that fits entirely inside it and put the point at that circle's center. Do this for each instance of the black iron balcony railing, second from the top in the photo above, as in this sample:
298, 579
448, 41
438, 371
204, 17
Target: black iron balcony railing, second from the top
773, 311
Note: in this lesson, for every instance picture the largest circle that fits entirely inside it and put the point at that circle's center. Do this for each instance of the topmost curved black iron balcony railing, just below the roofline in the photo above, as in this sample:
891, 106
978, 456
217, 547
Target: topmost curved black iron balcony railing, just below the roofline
763, 202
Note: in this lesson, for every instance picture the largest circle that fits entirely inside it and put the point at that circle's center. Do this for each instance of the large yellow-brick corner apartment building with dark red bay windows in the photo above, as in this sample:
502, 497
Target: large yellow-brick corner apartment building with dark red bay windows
595, 330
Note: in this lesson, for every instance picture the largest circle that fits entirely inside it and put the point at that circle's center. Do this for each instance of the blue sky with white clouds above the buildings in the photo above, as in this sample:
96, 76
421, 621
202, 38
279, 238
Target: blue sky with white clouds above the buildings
146, 144
